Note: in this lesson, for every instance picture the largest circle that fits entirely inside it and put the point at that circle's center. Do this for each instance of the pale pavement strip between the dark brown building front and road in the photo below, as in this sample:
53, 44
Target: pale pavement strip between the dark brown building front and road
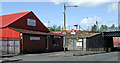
65, 54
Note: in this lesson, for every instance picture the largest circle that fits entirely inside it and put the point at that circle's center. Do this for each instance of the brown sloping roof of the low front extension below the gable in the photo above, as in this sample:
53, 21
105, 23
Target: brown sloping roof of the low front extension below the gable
32, 32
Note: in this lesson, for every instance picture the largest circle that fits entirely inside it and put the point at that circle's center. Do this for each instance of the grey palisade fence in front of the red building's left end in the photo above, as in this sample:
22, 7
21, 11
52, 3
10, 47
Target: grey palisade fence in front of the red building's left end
10, 45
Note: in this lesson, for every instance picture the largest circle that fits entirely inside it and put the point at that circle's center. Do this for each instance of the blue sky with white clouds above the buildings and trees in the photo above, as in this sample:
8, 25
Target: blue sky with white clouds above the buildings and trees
51, 12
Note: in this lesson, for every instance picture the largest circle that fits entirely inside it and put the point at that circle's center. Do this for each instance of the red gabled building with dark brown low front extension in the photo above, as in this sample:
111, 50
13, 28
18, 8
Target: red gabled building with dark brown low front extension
24, 33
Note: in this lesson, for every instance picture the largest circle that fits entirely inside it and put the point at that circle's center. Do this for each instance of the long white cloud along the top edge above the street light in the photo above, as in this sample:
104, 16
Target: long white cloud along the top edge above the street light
84, 3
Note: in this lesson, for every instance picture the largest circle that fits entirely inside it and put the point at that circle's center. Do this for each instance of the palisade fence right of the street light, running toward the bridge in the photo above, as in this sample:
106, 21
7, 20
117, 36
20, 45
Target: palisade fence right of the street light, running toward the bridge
82, 45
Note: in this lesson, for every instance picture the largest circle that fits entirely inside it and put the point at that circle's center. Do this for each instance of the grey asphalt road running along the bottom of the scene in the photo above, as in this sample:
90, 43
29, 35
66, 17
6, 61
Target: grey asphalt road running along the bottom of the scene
112, 56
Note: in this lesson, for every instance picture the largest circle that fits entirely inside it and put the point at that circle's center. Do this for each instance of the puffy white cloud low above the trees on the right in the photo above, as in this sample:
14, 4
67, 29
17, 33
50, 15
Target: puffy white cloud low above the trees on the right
90, 21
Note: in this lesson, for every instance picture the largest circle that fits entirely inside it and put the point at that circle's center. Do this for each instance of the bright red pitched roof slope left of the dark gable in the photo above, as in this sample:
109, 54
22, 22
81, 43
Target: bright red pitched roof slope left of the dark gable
7, 19
